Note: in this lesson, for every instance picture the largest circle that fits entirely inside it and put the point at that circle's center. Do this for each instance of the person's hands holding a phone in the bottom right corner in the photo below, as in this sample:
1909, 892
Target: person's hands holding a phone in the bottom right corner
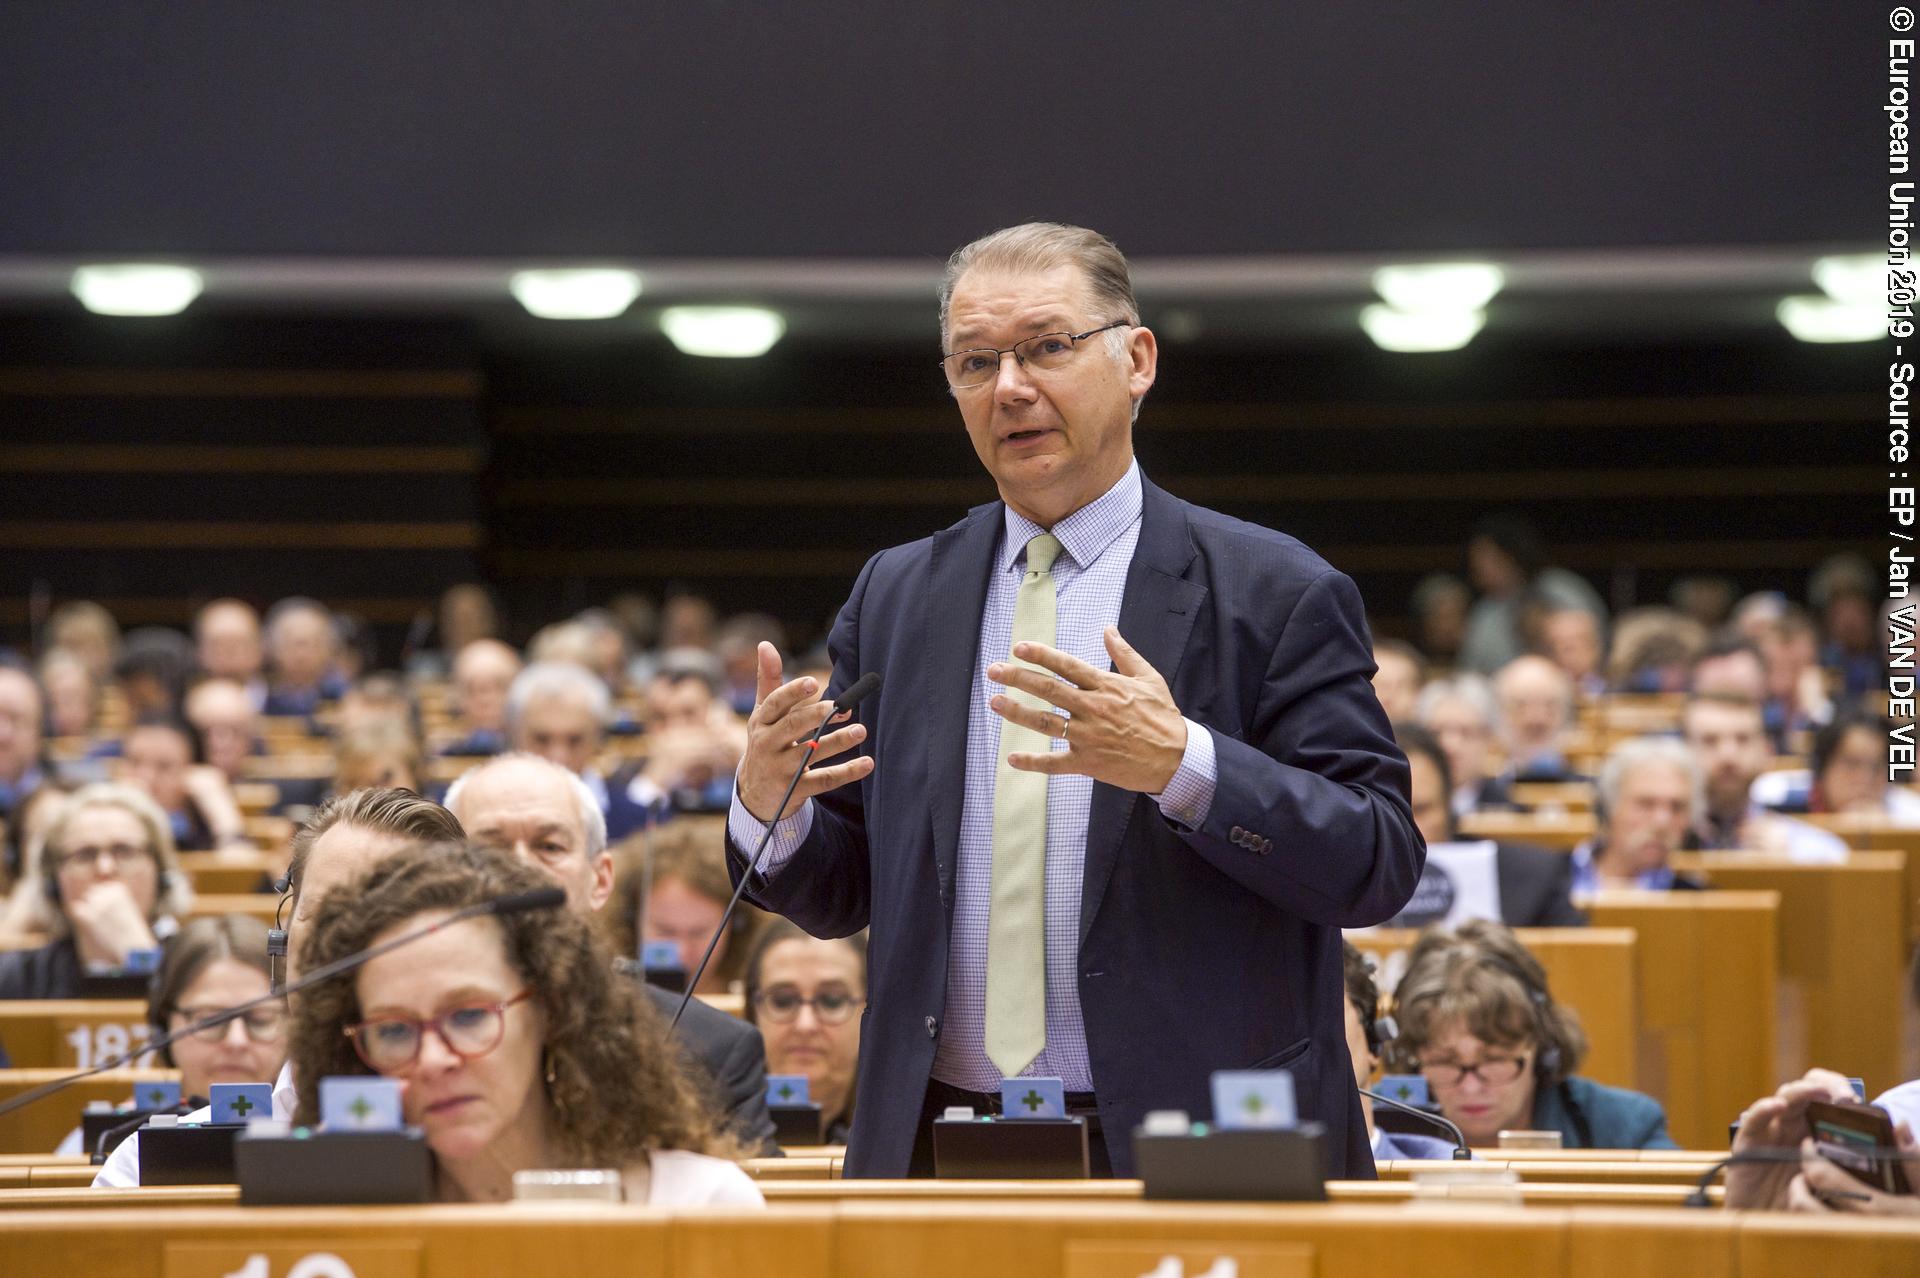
1777, 1125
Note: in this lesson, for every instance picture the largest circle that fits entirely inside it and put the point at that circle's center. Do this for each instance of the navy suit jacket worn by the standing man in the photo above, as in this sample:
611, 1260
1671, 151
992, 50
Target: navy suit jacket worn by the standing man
1201, 951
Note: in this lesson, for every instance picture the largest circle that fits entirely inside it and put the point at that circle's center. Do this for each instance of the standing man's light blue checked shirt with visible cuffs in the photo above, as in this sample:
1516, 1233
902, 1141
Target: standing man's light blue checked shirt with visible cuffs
1090, 582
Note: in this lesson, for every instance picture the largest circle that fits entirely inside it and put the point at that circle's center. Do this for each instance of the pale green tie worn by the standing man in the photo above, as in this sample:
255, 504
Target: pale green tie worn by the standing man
1017, 924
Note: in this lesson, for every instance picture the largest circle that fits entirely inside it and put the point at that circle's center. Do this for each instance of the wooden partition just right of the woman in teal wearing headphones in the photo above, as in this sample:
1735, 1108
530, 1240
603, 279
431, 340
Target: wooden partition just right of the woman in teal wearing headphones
1708, 997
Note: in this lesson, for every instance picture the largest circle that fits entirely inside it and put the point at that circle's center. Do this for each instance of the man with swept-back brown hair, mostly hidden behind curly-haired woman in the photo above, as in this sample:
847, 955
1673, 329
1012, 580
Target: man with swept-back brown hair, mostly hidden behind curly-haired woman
343, 840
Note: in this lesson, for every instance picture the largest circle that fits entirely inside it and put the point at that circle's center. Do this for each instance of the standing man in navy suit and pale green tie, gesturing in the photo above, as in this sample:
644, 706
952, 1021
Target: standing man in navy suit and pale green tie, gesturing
1126, 778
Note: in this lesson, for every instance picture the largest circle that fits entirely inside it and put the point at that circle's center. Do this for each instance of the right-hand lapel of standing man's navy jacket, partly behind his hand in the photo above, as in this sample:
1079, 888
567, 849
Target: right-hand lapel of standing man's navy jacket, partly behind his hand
1157, 617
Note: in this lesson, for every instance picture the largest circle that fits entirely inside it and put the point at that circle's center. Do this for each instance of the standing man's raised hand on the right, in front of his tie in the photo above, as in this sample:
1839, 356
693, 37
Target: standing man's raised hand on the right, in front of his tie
1120, 726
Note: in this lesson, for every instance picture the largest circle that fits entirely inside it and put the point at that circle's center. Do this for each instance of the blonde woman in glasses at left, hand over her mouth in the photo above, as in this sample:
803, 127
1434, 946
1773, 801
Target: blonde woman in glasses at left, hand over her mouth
101, 884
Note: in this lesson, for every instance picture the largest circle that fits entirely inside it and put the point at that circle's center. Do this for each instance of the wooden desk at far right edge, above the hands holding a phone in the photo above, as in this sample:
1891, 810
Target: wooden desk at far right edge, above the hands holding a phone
1842, 958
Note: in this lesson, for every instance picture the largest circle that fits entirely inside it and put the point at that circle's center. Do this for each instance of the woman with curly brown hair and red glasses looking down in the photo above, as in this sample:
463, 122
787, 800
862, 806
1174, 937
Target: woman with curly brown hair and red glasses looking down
516, 1043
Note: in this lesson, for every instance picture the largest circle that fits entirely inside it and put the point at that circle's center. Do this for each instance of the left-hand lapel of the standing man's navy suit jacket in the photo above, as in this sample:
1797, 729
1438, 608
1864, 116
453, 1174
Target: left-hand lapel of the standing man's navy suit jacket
959, 571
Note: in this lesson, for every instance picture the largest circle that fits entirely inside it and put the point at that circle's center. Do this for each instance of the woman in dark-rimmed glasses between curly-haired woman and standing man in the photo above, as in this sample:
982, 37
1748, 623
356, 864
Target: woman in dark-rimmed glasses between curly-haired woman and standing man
805, 995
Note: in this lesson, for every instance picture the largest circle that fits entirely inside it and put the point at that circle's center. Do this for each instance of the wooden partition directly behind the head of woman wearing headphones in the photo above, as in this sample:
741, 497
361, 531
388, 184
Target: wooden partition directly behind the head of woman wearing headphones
1591, 970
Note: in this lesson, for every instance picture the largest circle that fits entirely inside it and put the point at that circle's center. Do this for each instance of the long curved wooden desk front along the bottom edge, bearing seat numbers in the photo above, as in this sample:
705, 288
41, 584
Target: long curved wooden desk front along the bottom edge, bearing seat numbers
957, 1241
